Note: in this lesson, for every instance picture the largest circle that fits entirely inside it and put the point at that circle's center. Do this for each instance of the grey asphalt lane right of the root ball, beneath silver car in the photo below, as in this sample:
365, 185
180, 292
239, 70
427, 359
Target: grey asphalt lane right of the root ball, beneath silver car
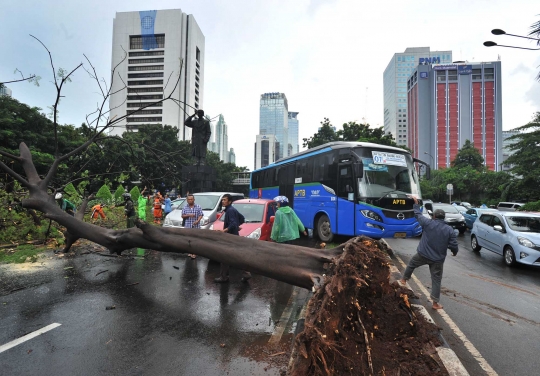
496, 307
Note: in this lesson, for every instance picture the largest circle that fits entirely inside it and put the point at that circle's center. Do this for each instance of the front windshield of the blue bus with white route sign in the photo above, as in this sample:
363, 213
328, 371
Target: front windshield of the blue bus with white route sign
387, 174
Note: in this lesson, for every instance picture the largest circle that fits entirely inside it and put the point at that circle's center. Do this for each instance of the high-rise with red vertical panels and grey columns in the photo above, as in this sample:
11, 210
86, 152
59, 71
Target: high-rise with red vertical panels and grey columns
449, 104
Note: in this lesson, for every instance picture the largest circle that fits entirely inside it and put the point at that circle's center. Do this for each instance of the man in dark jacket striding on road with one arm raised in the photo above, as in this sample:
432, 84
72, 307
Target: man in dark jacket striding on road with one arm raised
437, 237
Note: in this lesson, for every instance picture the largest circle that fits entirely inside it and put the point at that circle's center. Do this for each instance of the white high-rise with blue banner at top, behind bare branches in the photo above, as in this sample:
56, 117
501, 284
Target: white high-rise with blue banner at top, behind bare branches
163, 47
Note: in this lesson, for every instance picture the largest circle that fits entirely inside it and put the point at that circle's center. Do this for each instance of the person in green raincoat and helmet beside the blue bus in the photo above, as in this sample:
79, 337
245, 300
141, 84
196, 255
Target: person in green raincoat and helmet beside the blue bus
287, 226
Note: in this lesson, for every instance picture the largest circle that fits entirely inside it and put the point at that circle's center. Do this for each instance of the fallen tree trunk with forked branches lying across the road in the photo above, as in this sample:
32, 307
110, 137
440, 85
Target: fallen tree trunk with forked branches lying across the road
295, 265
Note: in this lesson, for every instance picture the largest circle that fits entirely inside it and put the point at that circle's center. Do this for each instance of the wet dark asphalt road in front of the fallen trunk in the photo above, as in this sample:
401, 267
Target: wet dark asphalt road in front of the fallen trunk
169, 317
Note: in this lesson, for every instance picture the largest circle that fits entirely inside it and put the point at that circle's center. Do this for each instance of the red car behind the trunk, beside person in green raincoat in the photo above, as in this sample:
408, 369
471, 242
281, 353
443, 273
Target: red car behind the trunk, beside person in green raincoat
259, 214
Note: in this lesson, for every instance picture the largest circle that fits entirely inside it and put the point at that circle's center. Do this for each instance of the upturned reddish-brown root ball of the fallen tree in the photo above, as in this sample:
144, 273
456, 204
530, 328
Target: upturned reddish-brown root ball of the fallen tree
358, 323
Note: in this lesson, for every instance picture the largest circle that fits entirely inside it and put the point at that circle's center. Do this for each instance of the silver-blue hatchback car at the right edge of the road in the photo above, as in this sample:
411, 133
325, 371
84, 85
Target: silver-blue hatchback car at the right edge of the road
515, 236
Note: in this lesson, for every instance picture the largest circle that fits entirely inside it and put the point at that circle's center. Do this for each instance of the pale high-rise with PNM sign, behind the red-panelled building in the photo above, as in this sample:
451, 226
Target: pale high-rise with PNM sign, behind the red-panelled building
395, 86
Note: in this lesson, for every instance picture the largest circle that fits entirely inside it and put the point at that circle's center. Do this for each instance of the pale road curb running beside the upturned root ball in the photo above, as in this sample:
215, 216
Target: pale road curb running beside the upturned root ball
448, 357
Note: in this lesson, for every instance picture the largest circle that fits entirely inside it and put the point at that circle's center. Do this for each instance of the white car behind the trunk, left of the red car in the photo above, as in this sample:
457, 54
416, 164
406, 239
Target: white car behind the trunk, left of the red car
210, 203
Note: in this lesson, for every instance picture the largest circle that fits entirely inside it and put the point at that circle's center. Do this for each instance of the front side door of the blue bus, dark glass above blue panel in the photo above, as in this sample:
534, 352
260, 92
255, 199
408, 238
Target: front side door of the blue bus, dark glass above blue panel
346, 201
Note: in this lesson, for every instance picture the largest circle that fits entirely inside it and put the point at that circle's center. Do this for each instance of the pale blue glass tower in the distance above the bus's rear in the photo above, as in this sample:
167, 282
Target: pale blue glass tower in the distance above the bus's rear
274, 121
